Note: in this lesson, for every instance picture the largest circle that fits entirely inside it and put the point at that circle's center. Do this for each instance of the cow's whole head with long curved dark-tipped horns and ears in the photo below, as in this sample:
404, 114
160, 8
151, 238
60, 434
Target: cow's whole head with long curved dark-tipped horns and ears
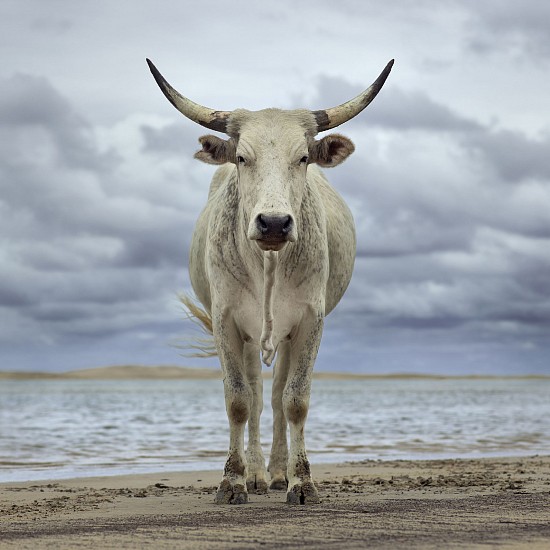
272, 149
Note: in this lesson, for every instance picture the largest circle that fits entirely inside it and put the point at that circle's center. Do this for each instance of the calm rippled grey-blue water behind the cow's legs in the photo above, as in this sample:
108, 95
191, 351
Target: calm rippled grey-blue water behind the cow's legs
56, 429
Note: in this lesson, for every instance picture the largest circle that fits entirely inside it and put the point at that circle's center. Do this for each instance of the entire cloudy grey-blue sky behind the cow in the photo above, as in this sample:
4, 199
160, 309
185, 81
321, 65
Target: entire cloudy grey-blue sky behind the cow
449, 184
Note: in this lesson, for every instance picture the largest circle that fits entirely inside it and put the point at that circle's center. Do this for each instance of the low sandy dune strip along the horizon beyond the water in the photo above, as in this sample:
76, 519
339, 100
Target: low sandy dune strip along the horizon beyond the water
141, 372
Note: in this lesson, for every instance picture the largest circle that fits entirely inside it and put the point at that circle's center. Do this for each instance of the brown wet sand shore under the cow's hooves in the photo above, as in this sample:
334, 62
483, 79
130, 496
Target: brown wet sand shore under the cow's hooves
482, 503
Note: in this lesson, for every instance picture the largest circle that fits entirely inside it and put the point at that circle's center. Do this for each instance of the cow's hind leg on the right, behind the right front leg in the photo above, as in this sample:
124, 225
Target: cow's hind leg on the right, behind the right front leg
279, 449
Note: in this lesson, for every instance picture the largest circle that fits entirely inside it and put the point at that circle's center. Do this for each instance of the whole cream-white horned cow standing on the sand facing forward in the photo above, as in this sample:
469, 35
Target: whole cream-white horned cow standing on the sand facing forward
271, 255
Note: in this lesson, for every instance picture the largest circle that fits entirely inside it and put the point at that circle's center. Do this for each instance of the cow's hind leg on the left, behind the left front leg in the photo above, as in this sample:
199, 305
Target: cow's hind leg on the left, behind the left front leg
257, 474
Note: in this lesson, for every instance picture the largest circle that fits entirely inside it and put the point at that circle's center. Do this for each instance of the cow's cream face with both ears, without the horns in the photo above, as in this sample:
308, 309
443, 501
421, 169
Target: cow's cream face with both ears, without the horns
272, 150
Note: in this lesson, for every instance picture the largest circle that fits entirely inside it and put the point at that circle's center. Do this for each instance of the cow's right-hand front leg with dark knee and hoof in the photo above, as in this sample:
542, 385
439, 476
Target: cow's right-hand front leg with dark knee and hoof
304, 347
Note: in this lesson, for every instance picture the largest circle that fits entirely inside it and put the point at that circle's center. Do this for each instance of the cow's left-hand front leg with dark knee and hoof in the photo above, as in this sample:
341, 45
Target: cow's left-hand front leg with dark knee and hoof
238, 396
